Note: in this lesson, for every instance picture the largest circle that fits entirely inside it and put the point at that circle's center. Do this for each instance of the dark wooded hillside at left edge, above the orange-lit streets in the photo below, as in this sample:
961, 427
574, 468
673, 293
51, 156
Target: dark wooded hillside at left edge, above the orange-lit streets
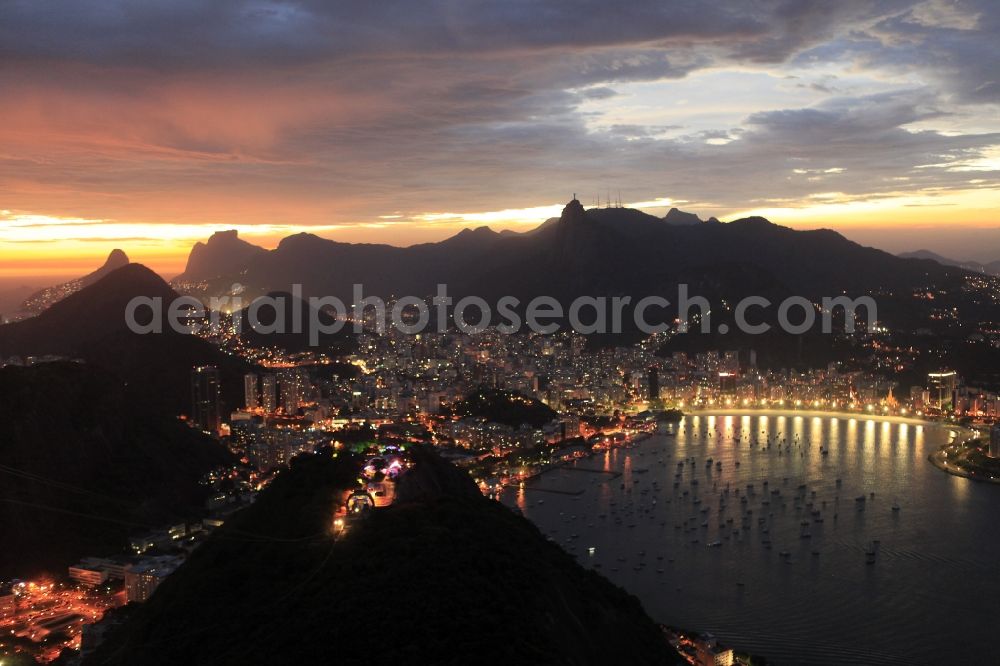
82, 467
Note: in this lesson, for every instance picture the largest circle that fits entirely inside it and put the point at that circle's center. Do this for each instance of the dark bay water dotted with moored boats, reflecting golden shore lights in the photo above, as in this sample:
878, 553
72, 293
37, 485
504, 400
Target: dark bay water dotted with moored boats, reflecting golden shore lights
929, 598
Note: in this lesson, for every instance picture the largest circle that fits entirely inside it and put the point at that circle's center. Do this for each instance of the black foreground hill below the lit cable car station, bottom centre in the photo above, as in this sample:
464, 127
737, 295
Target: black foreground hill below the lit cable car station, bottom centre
445, 576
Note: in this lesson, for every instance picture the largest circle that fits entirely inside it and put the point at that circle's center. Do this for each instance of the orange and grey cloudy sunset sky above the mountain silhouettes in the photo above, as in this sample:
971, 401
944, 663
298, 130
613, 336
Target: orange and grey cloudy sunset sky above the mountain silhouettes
149, 125
